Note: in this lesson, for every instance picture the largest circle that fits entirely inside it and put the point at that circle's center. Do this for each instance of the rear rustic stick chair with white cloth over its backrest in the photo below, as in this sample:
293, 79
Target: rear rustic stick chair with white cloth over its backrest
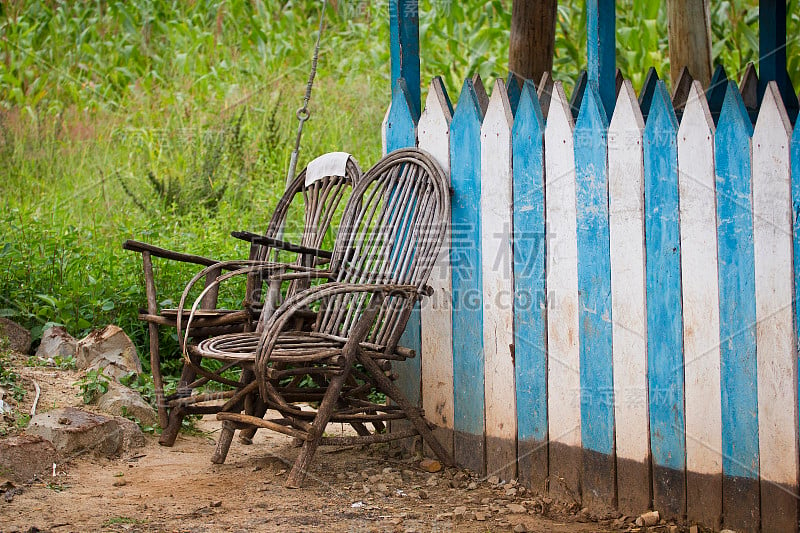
318, 193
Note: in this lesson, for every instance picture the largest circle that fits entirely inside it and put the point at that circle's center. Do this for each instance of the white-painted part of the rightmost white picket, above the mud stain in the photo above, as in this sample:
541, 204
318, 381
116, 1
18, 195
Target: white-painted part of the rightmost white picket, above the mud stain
775, 341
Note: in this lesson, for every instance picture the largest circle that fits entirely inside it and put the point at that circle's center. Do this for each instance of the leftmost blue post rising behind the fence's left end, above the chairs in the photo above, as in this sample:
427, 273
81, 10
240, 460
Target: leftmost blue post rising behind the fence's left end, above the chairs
404, 47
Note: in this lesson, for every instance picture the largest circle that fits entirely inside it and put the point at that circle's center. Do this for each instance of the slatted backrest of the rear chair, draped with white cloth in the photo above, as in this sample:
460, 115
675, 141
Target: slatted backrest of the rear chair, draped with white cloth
318, 215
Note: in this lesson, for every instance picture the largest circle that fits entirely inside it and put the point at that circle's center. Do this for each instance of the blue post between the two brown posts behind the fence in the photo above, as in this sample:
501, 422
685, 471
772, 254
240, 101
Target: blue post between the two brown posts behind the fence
601, 50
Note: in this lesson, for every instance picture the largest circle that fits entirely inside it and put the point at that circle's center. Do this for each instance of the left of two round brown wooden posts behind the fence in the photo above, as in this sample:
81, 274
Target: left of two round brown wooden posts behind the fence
533, 37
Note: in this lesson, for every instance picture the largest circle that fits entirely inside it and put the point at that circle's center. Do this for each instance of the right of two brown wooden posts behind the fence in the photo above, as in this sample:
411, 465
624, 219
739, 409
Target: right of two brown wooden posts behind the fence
690, 39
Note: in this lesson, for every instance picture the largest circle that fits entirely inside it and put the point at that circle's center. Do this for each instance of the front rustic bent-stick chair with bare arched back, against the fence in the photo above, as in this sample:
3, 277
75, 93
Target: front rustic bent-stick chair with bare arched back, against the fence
391, 232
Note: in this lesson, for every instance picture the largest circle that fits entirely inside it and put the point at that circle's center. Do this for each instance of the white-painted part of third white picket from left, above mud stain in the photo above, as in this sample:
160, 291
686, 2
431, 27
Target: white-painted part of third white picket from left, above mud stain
563, 357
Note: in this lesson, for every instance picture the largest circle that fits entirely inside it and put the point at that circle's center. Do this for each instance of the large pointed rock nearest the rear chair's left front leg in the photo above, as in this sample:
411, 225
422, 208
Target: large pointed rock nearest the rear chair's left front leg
110, 349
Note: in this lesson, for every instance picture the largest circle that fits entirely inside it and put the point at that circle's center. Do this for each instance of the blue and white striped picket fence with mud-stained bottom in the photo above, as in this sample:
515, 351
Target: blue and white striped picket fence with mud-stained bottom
614, 321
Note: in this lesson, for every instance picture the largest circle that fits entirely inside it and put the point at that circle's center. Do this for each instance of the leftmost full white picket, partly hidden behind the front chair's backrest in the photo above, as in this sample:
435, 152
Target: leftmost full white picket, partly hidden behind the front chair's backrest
433, 134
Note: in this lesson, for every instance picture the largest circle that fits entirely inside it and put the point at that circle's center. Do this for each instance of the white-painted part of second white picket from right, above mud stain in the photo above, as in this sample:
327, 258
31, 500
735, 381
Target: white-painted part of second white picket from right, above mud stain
700, 289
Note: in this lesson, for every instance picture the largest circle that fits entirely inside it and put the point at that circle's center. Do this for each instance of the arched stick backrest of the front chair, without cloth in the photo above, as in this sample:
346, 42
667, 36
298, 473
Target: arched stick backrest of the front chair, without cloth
391, 232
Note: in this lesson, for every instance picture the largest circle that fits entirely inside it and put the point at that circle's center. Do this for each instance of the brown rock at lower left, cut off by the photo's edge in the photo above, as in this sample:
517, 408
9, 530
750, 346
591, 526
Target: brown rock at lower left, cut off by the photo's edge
25, 456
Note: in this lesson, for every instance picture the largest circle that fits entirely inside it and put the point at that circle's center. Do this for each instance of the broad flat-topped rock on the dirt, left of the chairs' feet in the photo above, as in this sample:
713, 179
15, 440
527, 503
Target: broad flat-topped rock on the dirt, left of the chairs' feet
73, 431
